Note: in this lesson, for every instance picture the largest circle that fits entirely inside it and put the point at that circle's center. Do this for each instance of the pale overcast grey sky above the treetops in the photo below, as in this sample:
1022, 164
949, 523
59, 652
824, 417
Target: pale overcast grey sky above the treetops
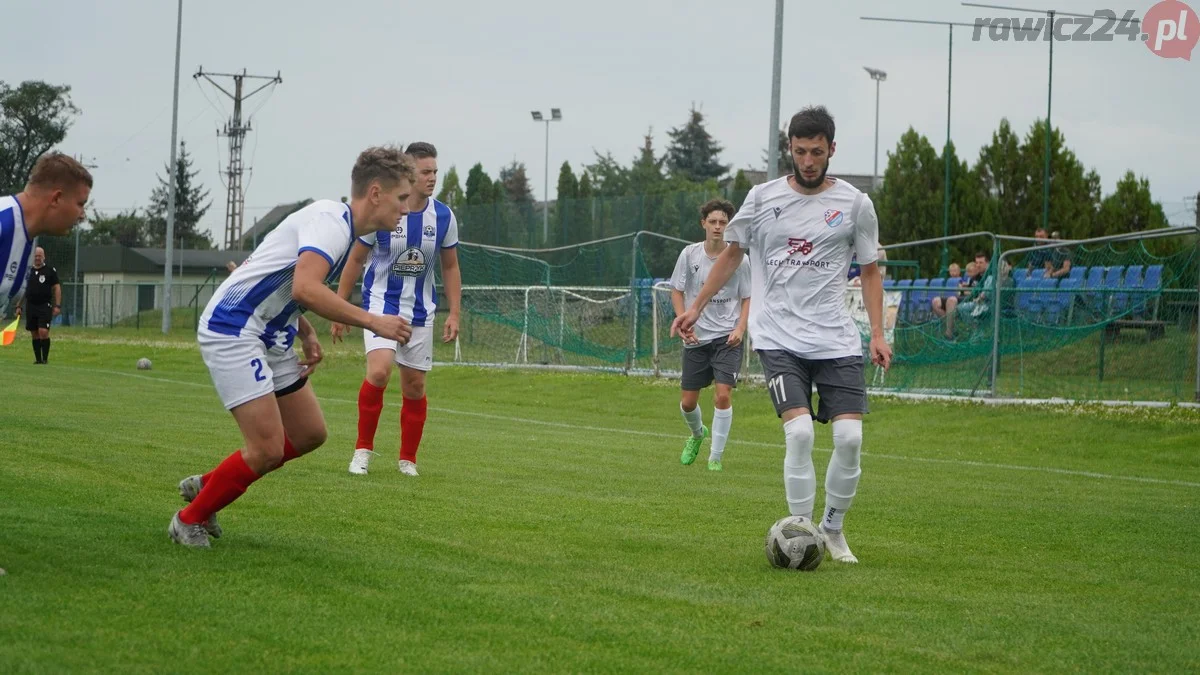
465, 76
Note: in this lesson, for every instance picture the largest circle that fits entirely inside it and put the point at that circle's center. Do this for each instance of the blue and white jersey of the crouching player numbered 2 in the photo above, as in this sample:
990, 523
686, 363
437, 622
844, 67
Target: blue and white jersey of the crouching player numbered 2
256, 301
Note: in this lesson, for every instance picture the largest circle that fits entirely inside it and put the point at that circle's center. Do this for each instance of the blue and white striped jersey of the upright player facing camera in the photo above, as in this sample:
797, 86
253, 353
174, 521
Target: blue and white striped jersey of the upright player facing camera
399, 278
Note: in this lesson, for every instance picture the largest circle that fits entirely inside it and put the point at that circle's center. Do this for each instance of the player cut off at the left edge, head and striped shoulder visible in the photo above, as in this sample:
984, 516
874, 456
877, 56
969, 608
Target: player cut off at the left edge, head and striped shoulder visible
52, 204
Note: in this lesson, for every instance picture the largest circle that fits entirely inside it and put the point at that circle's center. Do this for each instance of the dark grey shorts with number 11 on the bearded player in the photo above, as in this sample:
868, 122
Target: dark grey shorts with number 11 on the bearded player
790, 380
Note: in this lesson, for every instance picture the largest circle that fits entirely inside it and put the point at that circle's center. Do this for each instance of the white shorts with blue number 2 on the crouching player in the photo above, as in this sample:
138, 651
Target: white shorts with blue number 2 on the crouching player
243, 369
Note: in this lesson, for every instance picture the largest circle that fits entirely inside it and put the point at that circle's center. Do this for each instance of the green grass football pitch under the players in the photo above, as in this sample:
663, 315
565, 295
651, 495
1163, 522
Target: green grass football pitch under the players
553, 529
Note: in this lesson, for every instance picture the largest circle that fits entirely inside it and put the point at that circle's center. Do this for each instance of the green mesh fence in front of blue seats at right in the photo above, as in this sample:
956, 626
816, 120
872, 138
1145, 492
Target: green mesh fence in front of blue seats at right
1119, 326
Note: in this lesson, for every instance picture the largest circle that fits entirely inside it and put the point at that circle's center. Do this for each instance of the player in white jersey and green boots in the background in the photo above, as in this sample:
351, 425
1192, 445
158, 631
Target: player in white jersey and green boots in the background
715, 350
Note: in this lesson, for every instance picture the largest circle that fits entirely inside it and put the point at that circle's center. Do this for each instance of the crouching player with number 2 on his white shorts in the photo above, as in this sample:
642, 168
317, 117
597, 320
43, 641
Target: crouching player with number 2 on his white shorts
248, 331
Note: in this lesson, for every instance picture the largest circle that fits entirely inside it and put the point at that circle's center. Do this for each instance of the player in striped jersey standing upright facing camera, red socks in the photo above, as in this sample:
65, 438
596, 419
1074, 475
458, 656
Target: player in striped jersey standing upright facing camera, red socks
399, 280
